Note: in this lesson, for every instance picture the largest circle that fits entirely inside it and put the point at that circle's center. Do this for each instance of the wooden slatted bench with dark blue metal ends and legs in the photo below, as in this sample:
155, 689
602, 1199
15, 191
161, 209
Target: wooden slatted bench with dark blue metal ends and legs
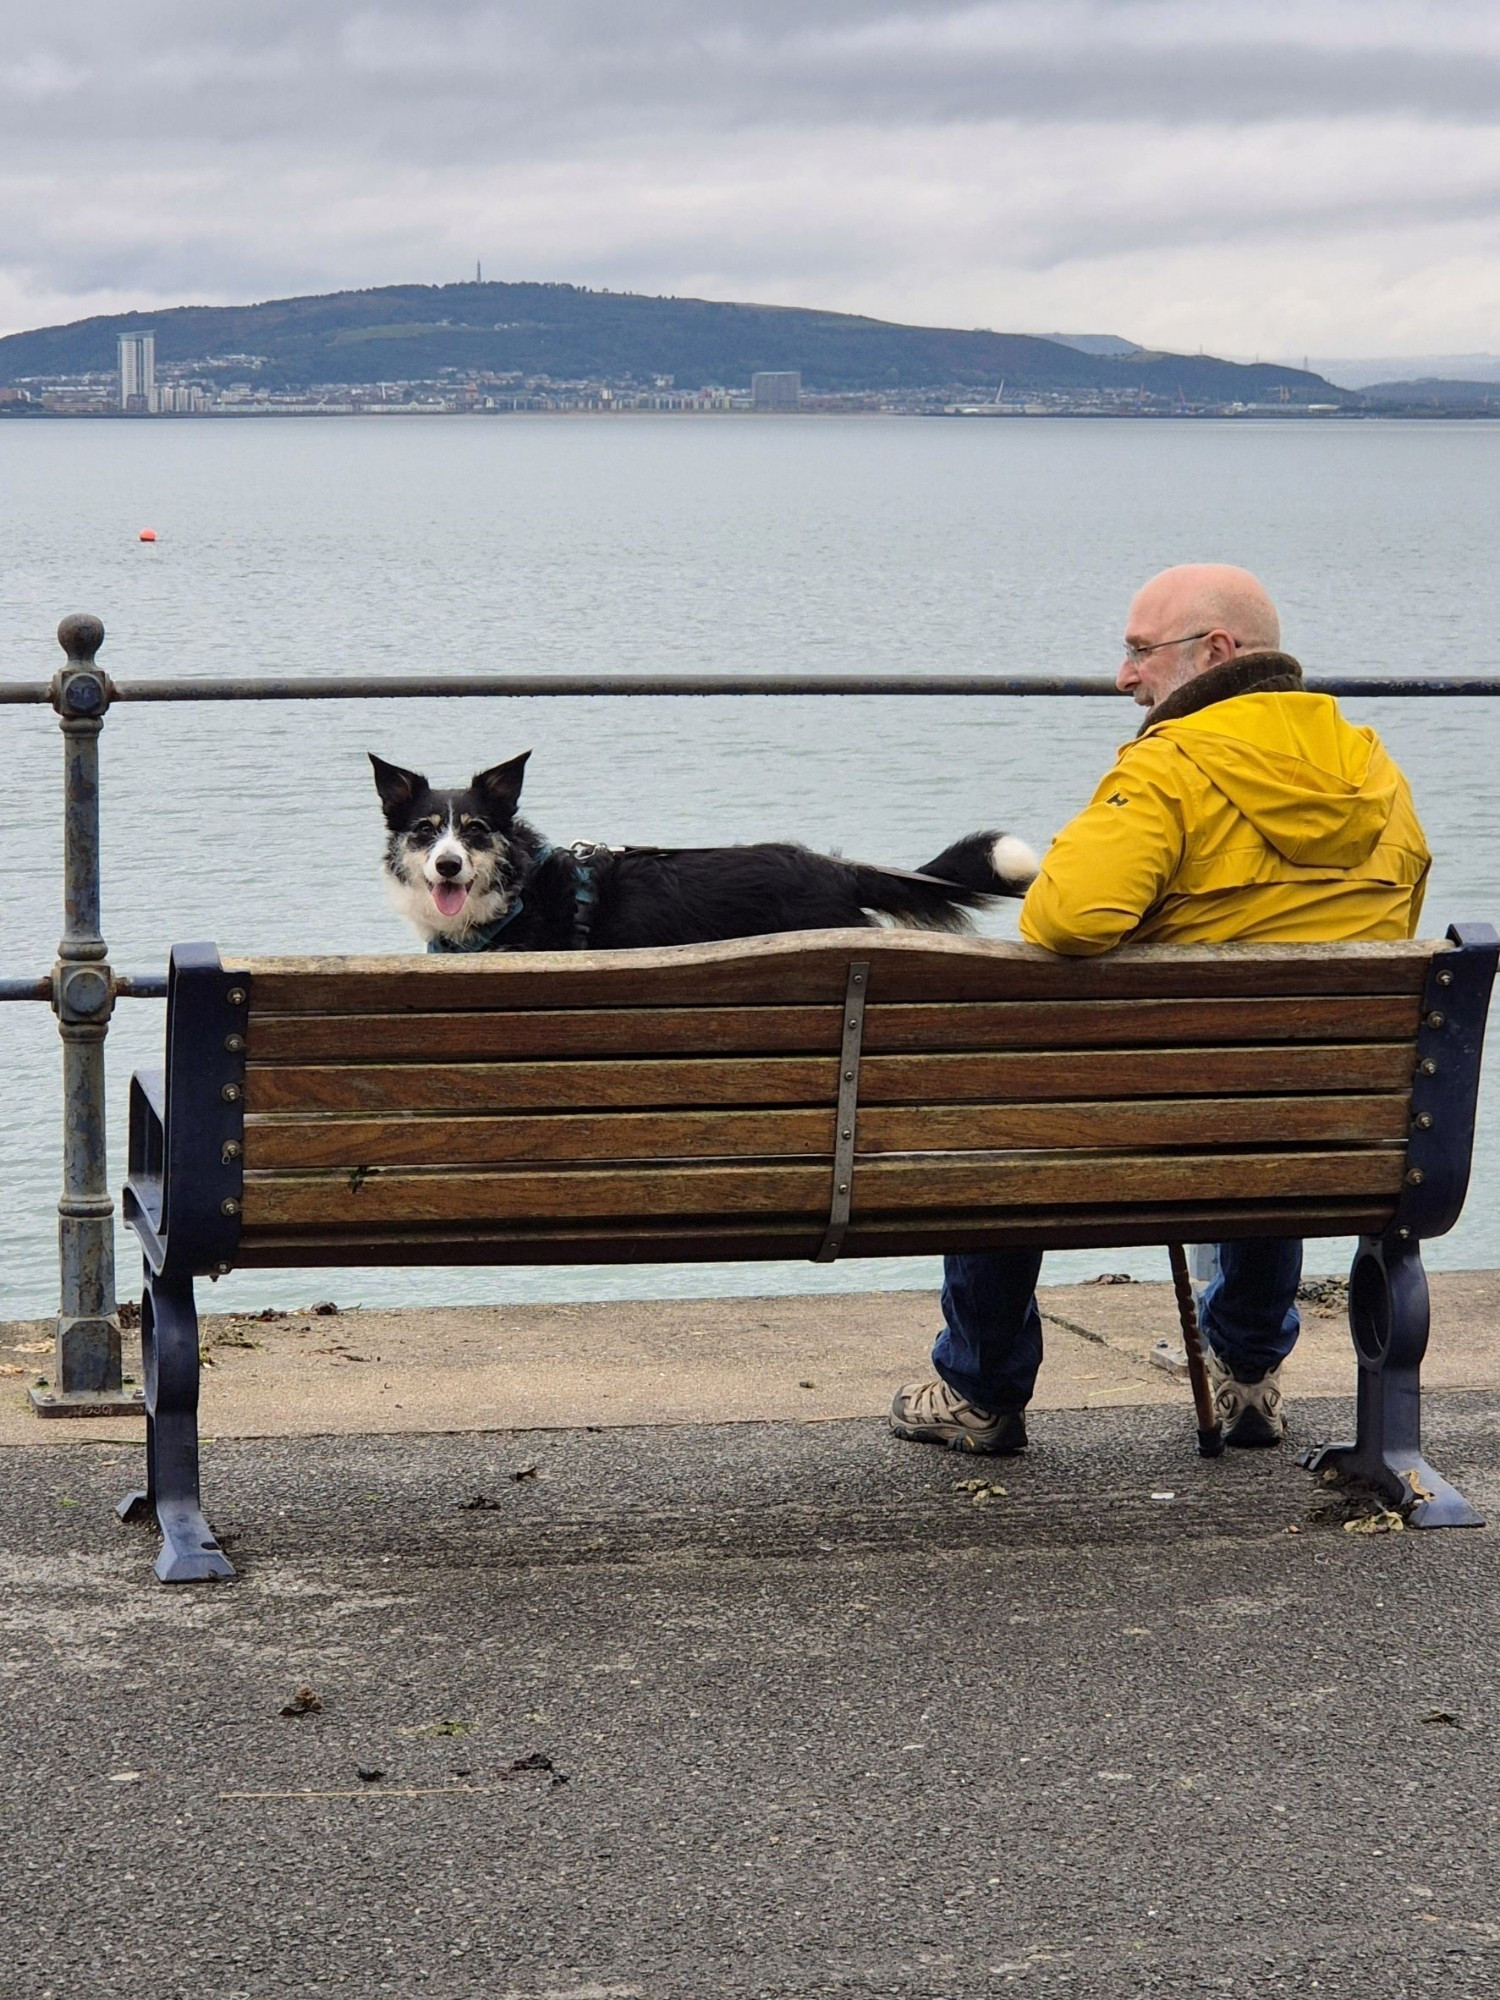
807, 1097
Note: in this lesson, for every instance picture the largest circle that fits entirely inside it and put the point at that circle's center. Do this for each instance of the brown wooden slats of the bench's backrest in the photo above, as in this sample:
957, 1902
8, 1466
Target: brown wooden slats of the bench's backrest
643, 1107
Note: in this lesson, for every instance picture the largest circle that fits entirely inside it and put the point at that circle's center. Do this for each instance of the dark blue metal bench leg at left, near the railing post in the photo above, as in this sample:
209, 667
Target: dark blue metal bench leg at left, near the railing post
169, 1343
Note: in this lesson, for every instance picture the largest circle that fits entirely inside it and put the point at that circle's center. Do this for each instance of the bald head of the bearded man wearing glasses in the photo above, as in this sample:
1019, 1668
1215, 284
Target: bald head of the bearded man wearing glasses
1191, 619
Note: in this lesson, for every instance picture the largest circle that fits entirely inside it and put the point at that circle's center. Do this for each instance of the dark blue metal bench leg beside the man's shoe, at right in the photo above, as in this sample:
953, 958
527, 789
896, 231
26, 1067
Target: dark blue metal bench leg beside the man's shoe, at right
1389, 1321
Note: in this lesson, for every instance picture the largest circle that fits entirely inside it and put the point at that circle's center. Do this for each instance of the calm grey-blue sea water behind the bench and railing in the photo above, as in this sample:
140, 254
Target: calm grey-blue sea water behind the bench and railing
665, 547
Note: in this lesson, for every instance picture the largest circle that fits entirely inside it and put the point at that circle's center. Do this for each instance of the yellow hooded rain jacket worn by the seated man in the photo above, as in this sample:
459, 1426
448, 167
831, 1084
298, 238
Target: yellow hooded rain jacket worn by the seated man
1261, 817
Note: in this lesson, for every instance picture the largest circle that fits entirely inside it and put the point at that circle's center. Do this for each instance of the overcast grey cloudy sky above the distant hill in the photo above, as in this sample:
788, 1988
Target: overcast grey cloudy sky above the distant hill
1271, 177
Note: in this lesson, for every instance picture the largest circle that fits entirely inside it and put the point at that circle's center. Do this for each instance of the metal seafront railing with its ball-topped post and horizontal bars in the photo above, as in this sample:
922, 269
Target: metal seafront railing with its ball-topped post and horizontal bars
83, 987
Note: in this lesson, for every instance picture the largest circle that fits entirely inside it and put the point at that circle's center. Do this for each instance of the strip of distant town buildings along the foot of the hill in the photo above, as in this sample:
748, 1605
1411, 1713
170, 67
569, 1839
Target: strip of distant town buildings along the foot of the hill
227, 385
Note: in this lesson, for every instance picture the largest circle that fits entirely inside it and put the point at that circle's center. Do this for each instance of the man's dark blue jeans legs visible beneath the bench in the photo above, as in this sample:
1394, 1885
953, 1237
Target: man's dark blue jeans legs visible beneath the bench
991, 1345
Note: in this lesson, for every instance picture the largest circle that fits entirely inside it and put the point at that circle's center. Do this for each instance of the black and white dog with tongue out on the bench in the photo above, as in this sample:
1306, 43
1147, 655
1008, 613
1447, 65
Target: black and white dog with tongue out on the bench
473, 877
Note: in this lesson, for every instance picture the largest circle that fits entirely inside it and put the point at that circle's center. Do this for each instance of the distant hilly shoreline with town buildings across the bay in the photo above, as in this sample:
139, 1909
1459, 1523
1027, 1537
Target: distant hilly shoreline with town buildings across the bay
499, 349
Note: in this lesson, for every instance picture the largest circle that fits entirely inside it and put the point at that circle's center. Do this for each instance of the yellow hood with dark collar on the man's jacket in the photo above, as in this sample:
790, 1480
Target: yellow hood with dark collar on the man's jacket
1313, 785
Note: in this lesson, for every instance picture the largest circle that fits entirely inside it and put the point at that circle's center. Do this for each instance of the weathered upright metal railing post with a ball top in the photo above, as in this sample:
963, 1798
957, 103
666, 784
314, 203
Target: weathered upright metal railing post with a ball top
87, 1377
